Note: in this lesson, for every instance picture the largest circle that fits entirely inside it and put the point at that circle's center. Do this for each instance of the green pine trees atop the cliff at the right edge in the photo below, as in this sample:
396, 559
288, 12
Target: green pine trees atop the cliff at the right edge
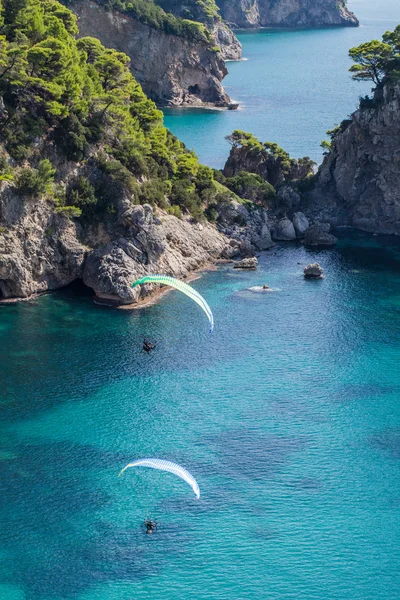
375, 60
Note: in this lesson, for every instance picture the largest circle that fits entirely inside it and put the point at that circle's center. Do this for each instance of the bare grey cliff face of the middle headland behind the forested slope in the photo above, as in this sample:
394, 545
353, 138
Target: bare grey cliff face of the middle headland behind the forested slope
172, 70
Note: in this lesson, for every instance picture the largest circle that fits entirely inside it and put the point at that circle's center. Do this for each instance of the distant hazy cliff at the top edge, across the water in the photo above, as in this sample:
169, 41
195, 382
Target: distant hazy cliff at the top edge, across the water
286, 13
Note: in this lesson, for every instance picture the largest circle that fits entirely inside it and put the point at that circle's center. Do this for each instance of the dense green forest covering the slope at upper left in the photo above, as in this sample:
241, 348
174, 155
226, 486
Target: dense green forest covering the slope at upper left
72, 99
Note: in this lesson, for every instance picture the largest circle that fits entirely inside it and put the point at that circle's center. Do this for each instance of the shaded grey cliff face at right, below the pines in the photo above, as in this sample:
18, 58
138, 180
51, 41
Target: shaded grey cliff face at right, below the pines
359, 181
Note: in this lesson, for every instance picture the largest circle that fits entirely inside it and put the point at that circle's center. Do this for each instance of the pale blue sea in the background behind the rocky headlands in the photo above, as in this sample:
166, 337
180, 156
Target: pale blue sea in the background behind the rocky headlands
294, 86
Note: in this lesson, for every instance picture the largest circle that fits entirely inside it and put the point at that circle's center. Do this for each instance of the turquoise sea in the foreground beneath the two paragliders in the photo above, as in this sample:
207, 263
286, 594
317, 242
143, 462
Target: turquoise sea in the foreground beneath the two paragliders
288, 415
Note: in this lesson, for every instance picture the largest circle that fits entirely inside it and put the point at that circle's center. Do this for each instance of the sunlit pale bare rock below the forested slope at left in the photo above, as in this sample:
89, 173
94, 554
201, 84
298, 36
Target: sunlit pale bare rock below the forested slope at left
41, 250
